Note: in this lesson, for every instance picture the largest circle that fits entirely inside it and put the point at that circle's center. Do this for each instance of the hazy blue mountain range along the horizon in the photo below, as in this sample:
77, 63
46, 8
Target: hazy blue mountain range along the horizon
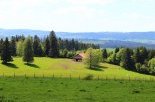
105, 39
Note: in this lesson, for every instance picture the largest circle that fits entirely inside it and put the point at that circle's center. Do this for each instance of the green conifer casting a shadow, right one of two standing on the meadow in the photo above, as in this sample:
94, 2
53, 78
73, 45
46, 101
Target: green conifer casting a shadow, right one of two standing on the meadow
28, 51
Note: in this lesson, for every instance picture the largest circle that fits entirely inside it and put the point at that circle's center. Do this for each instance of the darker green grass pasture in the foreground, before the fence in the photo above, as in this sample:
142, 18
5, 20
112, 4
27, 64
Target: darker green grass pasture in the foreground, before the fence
74, 90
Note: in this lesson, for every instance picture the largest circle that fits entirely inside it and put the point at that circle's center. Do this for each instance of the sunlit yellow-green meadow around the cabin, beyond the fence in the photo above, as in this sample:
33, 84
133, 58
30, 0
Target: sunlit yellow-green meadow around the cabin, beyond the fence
64, 68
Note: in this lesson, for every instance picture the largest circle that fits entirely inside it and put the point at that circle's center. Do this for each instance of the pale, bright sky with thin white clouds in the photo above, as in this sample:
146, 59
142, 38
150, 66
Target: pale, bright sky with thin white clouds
78, 15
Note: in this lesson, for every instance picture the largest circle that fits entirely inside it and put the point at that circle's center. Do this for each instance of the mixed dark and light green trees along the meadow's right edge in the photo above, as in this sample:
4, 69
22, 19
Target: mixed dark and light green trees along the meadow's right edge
139, 59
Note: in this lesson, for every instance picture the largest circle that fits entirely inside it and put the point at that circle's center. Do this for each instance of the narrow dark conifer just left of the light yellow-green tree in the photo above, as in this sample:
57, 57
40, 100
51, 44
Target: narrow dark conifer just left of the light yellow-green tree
13, 46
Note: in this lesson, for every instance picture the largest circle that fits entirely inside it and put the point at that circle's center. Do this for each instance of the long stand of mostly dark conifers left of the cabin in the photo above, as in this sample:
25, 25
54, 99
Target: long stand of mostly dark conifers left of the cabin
29, 47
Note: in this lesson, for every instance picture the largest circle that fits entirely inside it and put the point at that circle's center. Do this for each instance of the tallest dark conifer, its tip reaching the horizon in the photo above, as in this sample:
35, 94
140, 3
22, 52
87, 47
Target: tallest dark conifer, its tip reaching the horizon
54, 48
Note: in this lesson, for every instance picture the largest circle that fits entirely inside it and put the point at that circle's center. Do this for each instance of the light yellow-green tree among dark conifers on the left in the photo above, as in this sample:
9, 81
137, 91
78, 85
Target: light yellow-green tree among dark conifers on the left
20, 48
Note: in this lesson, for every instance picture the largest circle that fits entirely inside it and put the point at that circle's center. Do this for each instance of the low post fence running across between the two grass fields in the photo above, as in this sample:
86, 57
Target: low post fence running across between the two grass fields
80, 77
